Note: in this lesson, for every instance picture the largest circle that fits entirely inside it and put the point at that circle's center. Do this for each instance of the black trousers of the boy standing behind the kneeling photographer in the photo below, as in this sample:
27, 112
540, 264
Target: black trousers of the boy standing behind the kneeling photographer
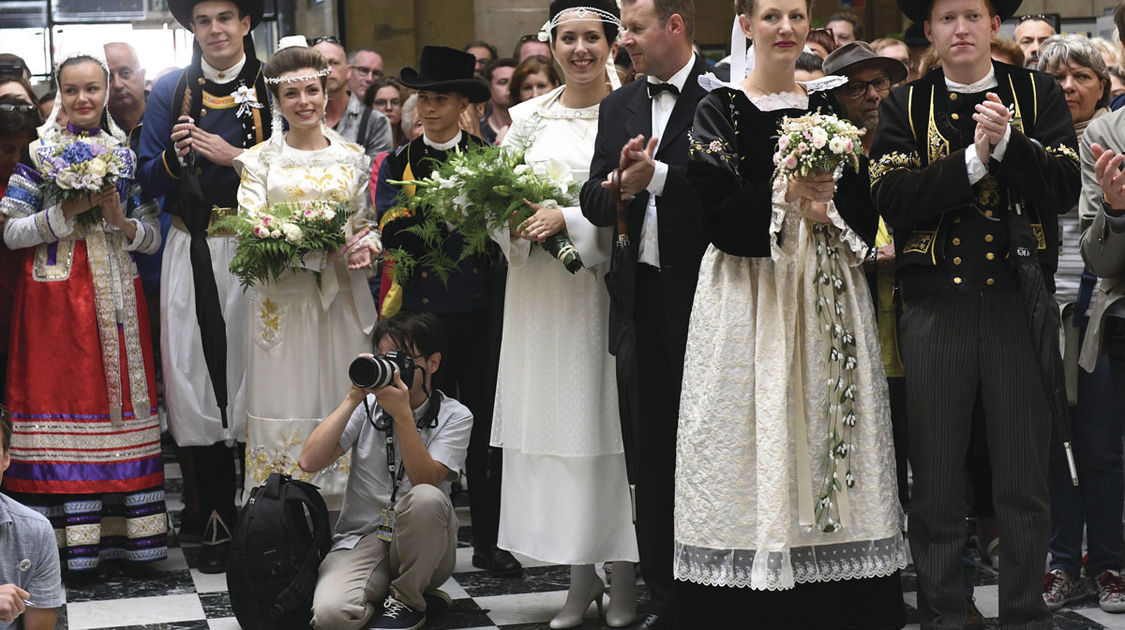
469, 374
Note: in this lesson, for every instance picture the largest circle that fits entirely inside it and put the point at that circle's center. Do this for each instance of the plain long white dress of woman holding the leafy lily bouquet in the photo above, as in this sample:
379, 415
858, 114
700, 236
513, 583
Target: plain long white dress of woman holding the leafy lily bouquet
565, 497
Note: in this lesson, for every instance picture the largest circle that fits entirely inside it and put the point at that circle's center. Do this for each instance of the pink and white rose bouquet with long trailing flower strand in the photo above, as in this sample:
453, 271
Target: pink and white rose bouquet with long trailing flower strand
808, 147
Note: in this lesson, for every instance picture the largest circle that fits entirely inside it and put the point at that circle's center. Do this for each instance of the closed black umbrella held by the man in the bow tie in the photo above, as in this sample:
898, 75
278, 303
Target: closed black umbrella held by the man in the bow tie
622, 282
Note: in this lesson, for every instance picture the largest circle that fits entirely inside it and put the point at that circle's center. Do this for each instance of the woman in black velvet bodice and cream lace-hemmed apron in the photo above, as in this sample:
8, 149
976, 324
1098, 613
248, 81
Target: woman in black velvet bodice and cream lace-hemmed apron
778, 493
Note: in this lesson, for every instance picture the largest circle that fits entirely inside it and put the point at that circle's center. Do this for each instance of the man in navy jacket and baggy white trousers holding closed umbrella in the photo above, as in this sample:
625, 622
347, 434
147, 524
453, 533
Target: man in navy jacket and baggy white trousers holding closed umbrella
197, 121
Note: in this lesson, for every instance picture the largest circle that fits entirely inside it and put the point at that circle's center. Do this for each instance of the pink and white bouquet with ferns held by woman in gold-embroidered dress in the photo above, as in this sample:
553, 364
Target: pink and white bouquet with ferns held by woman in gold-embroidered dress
276, 240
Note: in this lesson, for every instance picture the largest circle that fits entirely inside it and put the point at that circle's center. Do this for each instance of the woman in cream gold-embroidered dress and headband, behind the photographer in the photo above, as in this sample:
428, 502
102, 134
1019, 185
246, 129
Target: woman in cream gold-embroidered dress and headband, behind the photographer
308, 326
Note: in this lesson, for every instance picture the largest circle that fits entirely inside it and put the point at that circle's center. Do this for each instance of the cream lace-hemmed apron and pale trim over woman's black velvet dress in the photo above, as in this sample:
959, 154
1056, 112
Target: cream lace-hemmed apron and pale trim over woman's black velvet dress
753, 426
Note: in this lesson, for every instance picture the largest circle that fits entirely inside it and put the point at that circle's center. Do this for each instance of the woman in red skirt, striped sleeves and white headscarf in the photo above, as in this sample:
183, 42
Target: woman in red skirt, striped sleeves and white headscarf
82, 388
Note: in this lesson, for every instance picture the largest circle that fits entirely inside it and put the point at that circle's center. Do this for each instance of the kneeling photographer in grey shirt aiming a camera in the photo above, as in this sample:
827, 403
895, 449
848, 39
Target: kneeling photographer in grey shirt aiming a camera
397, 538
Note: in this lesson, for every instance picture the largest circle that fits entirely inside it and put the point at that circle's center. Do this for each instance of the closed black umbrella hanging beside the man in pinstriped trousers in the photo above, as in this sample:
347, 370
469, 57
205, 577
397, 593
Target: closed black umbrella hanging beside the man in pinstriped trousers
1043, 320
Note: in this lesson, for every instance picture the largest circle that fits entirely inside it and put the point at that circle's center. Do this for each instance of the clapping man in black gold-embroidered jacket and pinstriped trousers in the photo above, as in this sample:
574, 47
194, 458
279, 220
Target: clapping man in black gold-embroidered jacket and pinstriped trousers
961, 159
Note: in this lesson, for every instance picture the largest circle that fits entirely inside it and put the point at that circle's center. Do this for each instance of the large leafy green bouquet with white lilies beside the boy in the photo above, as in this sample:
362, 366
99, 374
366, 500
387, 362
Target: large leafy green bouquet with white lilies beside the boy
480, 192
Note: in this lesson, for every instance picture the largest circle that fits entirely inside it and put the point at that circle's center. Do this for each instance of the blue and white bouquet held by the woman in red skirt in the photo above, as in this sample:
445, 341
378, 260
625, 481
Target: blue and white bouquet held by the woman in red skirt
77, 169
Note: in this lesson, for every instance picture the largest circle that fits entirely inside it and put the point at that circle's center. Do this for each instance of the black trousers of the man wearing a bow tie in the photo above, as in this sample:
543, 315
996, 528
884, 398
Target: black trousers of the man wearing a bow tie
661, 366
